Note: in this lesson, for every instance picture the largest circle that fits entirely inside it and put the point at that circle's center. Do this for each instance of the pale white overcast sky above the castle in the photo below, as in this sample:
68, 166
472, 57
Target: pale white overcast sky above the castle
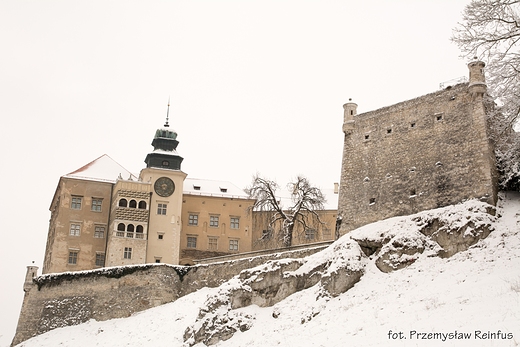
255, 86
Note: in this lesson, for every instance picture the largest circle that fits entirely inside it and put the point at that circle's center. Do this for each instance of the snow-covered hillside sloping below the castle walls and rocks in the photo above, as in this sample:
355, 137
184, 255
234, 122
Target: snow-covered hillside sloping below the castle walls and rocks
474, 292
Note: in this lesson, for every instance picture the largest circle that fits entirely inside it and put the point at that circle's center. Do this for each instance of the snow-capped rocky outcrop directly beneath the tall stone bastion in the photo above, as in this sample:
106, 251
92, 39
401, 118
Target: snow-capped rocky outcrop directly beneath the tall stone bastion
398, 242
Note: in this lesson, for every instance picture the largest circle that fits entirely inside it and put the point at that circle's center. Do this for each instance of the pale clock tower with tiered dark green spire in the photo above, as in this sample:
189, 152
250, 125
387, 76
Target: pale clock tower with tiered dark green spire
163, 171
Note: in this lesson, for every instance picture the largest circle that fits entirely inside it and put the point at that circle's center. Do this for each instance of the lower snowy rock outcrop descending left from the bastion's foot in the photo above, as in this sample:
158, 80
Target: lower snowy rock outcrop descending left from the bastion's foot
334, 270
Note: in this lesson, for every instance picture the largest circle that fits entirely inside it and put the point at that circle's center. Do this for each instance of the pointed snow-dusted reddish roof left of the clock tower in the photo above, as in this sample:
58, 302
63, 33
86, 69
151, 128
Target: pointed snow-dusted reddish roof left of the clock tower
103, 169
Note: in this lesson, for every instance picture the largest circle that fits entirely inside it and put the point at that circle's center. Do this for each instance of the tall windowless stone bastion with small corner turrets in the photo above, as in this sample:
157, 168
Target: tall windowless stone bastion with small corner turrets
419, 154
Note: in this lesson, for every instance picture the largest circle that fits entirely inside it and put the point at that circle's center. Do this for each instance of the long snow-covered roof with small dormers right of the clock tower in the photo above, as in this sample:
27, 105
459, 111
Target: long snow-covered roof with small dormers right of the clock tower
194, 186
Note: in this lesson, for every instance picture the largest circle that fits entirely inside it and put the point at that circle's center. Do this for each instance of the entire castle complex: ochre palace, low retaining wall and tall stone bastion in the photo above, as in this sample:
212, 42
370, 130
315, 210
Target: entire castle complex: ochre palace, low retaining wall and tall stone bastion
419, 154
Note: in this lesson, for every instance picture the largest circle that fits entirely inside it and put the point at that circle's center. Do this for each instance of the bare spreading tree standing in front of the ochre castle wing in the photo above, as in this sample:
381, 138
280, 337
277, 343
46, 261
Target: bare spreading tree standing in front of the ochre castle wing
305, 200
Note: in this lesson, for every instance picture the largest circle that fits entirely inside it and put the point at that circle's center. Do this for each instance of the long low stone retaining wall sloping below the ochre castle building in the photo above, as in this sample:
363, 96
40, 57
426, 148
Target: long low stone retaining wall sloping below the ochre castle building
64, 299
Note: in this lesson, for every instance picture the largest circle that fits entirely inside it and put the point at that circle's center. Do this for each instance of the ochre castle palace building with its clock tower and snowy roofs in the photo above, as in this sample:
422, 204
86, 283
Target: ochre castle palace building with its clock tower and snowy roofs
102, 215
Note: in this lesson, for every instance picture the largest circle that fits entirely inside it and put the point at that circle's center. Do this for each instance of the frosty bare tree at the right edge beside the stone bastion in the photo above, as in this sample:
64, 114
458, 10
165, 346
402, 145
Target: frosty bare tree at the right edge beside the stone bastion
490, 31
